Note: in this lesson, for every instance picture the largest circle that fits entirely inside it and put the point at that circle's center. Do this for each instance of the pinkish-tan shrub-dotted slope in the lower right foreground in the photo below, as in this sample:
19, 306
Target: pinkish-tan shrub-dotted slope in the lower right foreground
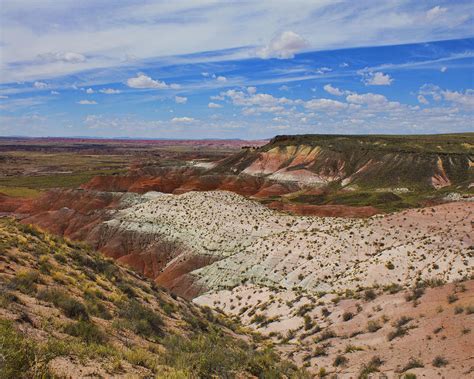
424, 331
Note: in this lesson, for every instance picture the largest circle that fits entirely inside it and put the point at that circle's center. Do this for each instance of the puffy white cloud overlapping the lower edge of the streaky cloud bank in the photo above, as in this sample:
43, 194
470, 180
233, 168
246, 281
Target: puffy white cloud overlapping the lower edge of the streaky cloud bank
283, 46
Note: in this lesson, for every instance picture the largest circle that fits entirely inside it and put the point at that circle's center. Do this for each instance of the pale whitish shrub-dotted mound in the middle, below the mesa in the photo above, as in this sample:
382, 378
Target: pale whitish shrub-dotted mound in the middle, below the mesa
253, 243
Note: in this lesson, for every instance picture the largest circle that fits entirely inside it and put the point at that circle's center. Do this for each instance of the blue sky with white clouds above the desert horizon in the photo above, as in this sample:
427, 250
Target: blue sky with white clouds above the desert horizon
235, 69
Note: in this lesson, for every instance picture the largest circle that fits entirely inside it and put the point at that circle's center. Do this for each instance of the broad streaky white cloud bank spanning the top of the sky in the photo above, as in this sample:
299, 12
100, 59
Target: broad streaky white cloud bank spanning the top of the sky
29, 30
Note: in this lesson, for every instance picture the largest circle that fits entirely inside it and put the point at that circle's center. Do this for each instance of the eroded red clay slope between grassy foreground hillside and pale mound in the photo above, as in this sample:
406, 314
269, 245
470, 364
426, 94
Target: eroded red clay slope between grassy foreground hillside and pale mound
79, 215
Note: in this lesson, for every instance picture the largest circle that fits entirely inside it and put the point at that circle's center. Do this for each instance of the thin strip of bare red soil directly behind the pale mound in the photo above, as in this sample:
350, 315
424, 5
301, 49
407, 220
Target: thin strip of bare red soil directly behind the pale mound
324, 210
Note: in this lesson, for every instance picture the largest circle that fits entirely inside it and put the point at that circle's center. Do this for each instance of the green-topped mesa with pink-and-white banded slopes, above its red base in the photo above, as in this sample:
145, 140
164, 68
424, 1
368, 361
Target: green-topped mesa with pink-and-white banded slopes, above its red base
367, 161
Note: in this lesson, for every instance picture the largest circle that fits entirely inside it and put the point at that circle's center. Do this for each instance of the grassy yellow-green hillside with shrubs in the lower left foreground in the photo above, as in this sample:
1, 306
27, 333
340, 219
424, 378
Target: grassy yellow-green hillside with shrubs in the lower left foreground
66, 311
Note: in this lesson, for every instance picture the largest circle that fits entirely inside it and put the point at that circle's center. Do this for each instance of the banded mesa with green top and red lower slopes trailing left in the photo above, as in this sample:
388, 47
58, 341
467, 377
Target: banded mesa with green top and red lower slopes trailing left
324, 174
